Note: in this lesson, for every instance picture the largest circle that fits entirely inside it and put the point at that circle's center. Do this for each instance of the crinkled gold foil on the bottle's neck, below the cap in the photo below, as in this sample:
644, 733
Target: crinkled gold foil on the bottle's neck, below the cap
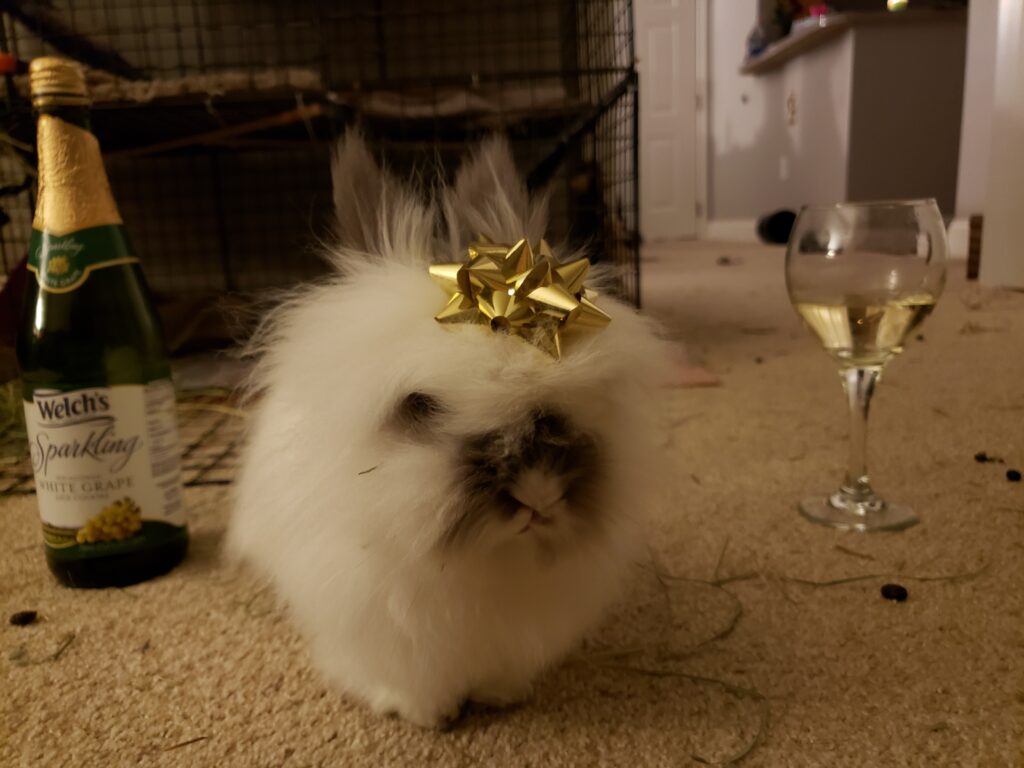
74, 192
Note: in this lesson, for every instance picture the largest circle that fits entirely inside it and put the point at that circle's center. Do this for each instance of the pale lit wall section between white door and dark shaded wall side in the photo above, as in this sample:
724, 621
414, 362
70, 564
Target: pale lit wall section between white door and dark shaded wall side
760, 157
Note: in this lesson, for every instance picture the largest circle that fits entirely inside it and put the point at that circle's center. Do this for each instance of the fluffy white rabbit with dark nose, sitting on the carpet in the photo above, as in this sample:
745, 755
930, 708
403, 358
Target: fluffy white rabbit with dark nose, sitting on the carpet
444, 509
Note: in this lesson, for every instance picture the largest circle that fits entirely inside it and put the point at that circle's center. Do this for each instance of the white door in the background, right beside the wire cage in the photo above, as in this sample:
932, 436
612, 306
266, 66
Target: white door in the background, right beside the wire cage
667, 52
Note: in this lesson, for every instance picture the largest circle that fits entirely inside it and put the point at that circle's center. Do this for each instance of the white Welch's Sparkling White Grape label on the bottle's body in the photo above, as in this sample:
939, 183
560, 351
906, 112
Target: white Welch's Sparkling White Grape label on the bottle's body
108, 467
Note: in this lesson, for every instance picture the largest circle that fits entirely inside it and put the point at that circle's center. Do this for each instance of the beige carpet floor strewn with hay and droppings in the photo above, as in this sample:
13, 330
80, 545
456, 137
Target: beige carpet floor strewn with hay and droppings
199, 669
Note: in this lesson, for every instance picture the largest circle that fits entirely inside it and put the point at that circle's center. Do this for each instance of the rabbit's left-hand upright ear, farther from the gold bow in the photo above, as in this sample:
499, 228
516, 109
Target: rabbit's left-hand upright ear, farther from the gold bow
376, 215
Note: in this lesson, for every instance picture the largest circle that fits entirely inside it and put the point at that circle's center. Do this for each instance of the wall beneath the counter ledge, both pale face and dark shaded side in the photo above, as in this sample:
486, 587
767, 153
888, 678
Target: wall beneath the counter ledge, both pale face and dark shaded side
866, 116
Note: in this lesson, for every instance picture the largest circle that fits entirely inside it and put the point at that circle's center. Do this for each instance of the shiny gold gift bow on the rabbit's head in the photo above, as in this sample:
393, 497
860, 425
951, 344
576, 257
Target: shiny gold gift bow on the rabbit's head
515, 292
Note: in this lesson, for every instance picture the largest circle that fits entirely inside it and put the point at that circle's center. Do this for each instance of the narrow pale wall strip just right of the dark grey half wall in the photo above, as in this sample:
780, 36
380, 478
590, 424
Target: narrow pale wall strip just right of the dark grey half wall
978, 94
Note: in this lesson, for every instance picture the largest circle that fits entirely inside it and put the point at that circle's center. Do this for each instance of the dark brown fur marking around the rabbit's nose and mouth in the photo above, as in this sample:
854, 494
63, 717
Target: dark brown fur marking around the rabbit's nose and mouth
536, 479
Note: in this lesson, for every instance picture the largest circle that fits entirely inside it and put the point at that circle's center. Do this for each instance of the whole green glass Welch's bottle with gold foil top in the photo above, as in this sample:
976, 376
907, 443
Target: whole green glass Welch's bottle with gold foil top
99, 401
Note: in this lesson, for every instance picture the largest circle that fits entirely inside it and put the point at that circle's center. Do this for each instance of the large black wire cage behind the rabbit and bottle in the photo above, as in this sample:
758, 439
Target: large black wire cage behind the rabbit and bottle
218, 118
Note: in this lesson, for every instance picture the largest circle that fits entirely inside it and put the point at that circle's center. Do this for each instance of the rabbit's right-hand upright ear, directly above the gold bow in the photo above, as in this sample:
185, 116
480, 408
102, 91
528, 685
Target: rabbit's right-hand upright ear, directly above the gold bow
490, 198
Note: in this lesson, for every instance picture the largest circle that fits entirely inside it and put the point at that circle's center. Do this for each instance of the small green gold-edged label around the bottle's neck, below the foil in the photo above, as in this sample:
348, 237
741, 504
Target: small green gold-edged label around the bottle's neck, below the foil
63, 263
